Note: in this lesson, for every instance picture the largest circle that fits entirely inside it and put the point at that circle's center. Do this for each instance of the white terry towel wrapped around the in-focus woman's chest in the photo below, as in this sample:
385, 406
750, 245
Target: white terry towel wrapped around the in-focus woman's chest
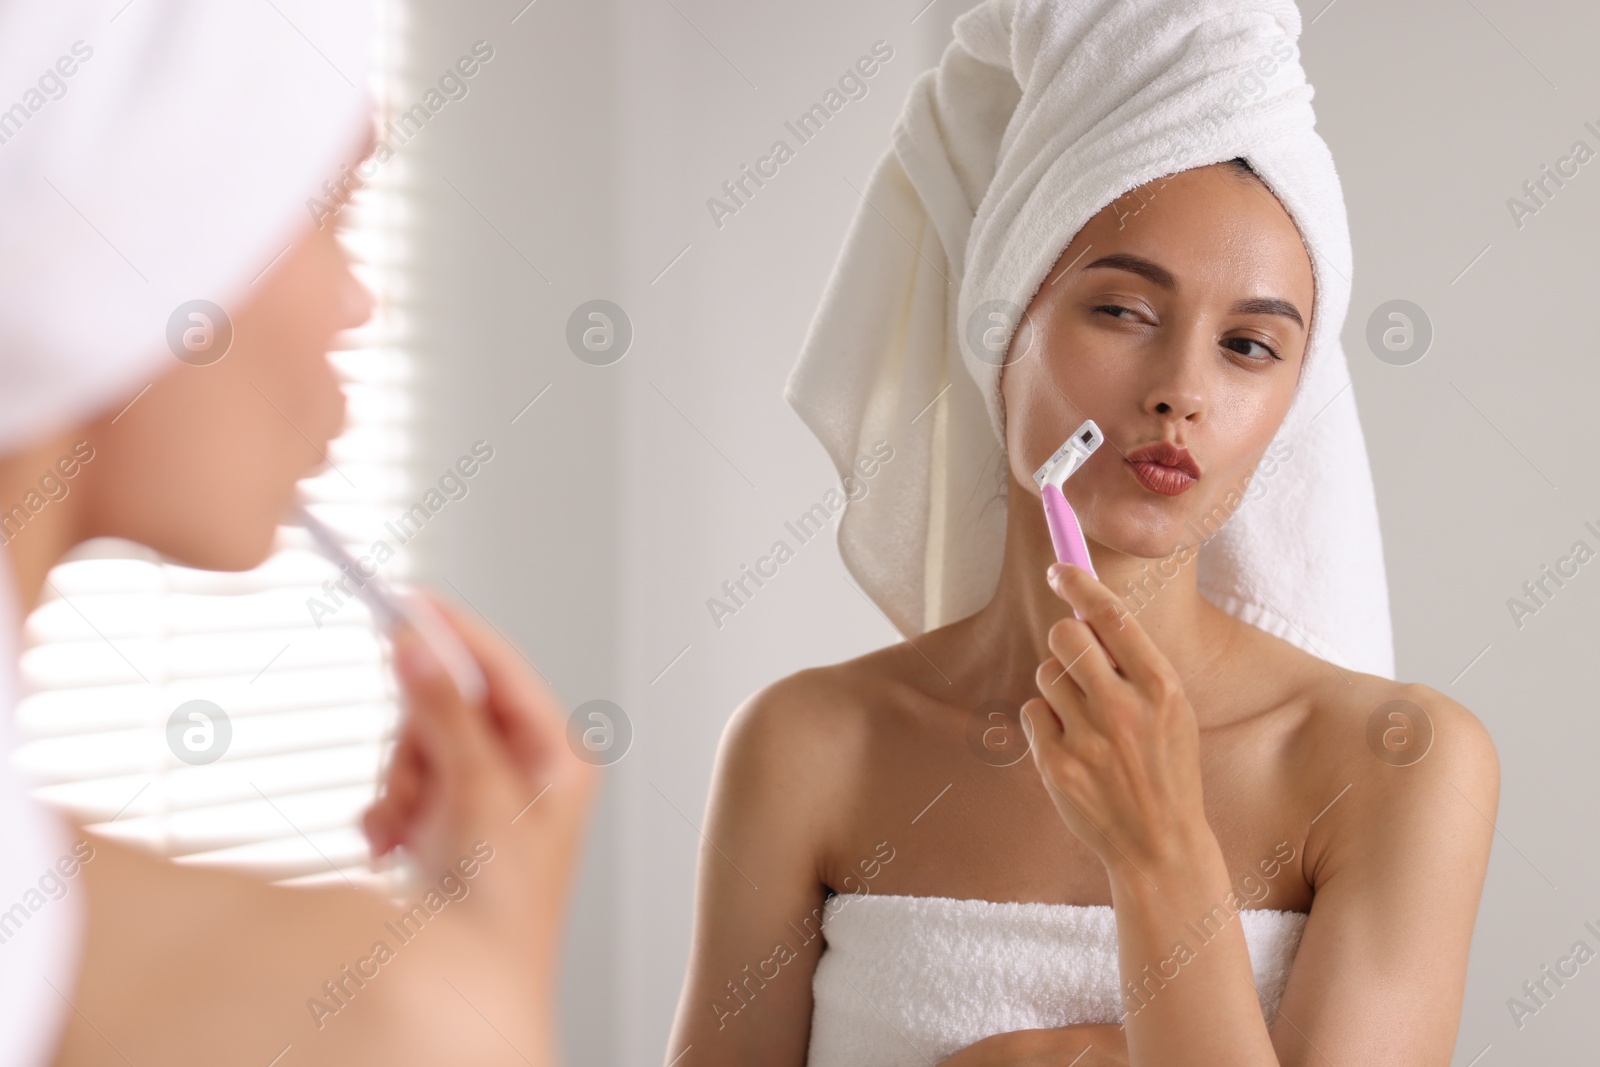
908, 981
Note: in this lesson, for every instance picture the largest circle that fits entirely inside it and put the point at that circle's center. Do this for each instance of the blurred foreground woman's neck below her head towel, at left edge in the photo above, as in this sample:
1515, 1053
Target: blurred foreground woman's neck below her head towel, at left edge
34, 529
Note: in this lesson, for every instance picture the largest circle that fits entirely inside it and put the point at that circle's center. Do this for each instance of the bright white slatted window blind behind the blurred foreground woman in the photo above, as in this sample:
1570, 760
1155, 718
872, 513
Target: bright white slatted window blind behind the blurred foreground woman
122, 639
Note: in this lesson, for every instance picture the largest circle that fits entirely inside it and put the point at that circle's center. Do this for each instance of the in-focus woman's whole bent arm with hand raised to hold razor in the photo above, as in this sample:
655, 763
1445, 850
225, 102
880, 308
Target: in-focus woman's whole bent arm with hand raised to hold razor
1399, 869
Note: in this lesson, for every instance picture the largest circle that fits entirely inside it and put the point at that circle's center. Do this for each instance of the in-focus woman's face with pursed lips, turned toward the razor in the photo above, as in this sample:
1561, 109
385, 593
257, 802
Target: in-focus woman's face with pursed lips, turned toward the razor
1177, 314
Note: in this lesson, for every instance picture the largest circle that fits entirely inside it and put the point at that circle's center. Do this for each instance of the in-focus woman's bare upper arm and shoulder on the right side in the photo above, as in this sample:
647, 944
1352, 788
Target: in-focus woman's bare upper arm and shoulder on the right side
1399, 868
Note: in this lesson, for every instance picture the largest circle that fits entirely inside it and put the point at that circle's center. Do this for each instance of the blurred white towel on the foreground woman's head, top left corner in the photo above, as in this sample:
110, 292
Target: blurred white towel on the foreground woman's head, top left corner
156, 154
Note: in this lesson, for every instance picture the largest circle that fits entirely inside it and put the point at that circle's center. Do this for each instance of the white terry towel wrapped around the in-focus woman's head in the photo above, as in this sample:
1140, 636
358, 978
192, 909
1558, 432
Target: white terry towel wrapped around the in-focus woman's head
1039, 114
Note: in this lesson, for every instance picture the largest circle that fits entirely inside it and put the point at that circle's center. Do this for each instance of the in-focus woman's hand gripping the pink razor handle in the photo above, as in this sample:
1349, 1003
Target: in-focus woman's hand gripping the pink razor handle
1118, 746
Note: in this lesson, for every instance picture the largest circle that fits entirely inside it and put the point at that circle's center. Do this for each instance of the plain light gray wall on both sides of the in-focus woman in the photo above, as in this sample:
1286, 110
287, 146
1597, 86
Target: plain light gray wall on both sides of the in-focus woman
625, 498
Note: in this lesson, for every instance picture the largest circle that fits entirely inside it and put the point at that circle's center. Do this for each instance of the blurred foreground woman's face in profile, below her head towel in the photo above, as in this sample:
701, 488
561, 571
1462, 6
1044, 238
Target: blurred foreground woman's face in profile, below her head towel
202, 468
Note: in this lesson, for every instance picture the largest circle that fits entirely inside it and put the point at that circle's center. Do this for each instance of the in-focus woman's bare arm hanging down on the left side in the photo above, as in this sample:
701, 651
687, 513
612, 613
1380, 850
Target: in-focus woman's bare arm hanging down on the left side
759, 890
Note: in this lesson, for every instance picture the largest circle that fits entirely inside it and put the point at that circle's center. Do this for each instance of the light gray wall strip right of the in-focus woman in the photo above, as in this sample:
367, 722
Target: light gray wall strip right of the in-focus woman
1438, 114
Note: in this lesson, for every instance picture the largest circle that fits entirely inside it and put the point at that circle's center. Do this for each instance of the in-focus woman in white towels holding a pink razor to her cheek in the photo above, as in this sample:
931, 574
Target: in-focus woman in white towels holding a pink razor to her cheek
1193, 761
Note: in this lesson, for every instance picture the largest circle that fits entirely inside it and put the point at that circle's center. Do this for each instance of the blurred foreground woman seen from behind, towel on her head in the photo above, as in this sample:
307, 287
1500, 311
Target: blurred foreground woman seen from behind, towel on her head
177, 164
